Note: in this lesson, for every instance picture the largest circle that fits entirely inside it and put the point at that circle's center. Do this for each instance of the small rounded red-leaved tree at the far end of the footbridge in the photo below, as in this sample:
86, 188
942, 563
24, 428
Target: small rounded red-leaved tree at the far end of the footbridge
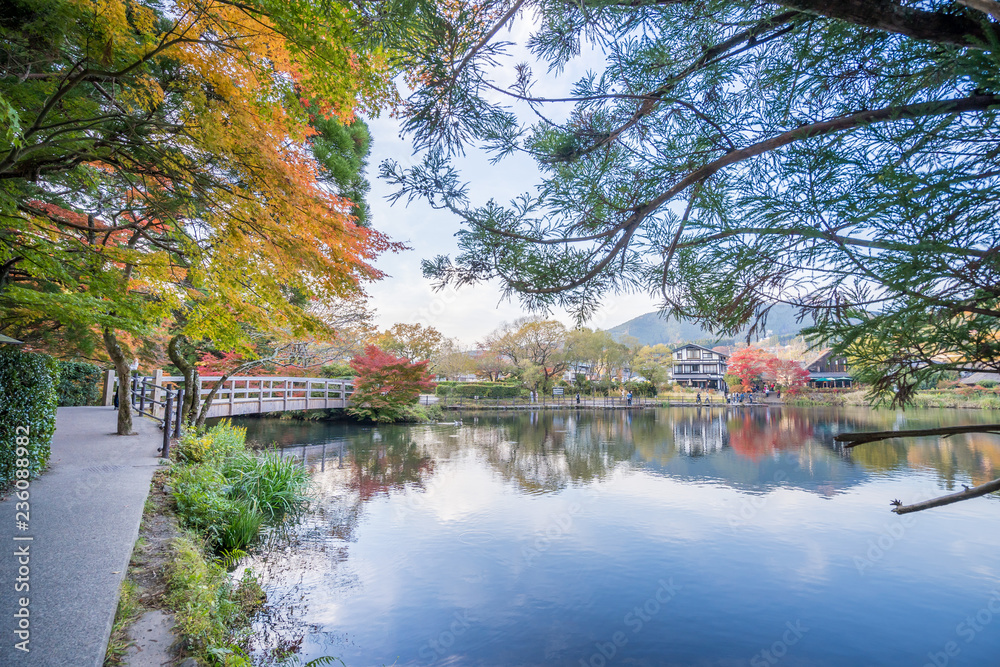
386, 385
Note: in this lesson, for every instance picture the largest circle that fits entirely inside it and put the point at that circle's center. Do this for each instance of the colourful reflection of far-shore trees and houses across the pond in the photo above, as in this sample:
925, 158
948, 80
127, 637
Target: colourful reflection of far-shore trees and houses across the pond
546, 452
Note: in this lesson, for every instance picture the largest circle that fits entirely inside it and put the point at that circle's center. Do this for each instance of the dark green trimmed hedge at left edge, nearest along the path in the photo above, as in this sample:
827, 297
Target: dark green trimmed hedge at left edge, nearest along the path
27, 402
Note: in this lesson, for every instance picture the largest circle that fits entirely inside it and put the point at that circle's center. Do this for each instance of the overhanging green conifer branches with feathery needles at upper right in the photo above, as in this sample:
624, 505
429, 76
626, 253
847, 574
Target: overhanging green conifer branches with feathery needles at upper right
727, 155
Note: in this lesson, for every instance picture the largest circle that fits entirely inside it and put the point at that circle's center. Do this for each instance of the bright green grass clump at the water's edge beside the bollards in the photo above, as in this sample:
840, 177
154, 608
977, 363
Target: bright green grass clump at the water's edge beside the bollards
227, 493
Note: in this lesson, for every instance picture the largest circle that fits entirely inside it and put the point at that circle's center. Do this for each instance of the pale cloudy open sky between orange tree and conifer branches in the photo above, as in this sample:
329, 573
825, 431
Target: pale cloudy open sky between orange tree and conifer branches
472, 312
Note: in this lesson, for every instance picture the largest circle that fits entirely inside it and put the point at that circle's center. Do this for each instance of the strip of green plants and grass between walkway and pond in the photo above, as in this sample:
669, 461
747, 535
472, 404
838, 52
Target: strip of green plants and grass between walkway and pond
205, 513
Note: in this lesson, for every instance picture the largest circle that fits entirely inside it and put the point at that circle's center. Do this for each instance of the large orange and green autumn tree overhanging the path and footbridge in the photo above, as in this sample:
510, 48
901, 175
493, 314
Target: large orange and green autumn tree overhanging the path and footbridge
167, 142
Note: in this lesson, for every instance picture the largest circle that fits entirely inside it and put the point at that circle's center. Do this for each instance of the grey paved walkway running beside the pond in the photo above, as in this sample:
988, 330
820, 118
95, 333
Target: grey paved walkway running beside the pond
84, 520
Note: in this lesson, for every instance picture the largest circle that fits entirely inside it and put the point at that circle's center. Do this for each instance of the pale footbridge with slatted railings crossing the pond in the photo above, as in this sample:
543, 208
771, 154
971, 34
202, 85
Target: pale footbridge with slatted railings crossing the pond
239, 395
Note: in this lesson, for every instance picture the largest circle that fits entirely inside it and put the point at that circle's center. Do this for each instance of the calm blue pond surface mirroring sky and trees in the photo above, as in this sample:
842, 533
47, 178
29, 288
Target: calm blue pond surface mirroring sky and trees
667, 537
